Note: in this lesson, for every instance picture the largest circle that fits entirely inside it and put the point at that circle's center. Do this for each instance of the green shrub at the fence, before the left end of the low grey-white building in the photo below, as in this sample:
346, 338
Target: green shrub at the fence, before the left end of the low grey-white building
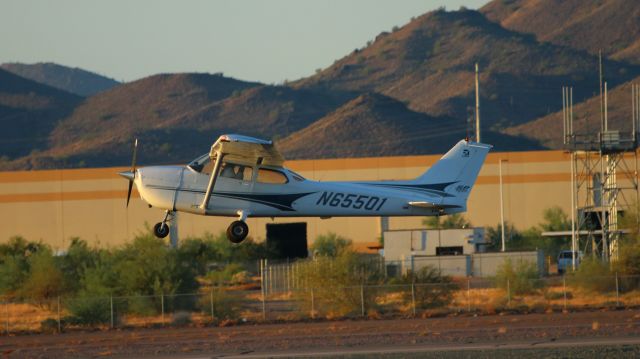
431, 288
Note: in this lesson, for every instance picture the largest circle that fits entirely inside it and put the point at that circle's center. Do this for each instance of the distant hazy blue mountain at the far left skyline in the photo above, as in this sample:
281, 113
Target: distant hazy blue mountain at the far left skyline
74, 80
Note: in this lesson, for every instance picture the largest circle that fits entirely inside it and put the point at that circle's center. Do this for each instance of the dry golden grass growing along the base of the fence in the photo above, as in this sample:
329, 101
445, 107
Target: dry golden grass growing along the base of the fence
286, 307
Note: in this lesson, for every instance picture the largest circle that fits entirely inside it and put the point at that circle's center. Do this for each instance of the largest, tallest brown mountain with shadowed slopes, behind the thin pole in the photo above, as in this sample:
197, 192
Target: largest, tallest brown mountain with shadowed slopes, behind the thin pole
429, 64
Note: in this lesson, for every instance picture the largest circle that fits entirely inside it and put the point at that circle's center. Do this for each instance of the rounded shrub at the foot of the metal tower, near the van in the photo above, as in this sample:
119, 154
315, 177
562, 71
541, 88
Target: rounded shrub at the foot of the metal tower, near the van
593, 275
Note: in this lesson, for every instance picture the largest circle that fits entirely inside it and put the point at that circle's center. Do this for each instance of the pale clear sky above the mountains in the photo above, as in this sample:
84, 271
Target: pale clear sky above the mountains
269, 41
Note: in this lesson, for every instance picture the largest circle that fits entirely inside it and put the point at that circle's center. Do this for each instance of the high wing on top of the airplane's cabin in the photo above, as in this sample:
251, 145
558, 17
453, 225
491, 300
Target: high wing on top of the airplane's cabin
246, 150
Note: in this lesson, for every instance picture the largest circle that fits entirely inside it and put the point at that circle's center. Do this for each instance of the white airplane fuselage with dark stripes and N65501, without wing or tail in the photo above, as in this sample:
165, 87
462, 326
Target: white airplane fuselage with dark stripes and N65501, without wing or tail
182, 189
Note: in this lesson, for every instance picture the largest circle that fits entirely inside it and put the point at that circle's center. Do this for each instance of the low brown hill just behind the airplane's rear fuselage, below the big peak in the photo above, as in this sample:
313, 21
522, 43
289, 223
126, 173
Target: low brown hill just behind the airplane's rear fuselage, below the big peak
373, 124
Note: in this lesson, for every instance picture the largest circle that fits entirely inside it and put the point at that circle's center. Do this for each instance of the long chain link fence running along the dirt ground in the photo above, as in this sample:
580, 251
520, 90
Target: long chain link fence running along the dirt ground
294, 302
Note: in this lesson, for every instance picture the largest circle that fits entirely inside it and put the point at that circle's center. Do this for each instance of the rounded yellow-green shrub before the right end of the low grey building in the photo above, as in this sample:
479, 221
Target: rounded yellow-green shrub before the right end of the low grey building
521, 278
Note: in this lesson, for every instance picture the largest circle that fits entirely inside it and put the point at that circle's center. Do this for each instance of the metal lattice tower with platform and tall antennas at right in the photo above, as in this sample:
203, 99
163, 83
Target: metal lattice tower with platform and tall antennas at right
604, 168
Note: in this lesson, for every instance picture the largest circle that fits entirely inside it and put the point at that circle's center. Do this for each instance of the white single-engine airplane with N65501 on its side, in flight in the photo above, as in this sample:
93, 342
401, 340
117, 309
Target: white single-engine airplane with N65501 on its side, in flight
244, 177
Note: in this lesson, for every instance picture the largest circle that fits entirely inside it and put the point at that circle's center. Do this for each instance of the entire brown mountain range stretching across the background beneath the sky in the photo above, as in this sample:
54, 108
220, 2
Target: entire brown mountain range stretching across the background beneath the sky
409, 91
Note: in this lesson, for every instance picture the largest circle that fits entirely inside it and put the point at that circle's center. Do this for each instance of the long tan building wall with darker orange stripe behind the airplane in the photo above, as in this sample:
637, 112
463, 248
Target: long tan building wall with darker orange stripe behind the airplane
90, 203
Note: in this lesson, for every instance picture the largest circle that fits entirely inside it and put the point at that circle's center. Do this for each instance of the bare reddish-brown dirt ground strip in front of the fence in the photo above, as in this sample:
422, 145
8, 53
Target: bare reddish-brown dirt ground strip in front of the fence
280, 338
